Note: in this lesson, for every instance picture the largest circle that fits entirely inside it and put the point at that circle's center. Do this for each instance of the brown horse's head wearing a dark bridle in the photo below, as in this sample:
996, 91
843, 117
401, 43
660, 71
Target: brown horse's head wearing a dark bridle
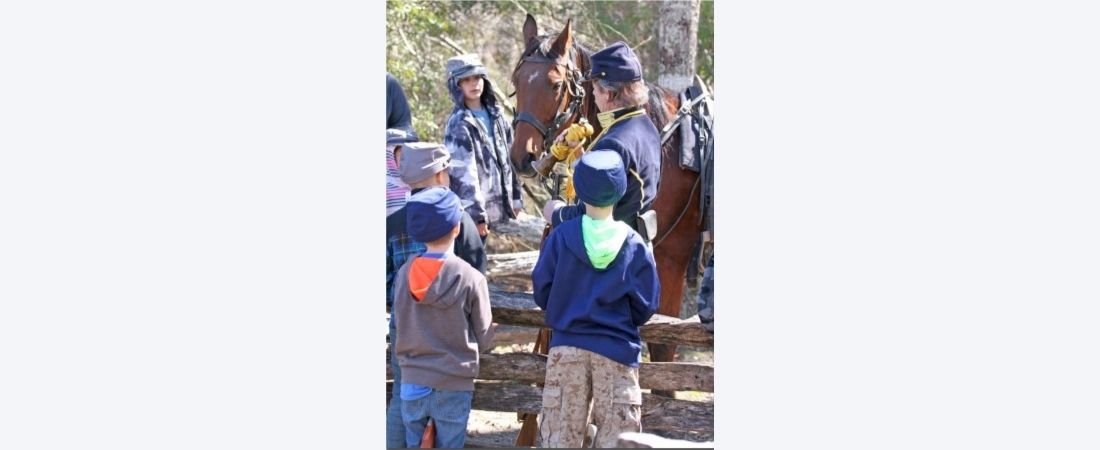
549, 95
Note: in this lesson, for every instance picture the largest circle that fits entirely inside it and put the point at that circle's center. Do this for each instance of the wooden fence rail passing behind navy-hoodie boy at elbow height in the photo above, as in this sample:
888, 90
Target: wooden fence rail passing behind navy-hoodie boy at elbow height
520, 310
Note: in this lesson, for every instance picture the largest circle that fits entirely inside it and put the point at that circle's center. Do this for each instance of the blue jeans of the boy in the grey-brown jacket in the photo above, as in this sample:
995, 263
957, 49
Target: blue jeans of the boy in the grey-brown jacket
450, 410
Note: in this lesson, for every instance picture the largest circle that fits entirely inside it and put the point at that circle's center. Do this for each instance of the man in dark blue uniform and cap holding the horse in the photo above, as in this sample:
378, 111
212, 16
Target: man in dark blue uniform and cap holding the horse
621, 95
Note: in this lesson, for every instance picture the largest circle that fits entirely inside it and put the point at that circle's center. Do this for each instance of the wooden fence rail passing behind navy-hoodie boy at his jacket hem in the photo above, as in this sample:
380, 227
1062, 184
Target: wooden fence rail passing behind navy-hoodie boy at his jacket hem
531, 368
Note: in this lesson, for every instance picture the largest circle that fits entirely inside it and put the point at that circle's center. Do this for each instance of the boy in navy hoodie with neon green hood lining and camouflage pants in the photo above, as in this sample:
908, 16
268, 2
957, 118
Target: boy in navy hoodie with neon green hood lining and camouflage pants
597, 281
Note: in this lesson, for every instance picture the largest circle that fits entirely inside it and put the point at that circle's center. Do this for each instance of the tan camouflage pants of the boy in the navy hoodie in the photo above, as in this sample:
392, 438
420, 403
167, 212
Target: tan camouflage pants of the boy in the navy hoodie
581, 386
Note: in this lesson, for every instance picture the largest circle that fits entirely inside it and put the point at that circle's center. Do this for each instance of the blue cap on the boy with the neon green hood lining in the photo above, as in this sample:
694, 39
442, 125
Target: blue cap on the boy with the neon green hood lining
600, 178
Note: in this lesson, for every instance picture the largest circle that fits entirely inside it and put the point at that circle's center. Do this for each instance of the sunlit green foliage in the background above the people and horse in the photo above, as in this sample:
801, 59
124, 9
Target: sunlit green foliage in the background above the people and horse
416, 52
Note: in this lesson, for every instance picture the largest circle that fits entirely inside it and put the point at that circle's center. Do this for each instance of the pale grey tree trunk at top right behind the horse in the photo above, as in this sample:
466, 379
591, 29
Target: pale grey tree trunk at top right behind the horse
678, 30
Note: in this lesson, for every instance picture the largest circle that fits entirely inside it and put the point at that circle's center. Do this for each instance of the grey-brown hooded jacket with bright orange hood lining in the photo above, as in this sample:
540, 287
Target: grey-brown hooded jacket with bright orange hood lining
443, 313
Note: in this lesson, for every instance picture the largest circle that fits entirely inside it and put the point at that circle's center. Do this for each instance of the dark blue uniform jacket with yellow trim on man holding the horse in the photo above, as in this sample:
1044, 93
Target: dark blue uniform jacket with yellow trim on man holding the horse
637, 141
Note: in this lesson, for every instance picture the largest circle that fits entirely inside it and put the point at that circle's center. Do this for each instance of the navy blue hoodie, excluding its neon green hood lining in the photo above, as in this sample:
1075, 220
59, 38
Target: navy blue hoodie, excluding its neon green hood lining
599, 311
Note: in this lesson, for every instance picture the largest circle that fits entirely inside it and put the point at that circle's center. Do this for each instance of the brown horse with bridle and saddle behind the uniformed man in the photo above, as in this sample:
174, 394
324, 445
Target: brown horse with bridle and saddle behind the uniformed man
549, 100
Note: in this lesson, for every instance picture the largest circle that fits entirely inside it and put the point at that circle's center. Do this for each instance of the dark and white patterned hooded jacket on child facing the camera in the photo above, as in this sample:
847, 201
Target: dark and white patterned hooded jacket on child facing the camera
487, 182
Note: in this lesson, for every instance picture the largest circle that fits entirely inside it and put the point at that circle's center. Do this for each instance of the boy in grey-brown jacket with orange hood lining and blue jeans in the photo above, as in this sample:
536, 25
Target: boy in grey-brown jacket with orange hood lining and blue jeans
443, 316
